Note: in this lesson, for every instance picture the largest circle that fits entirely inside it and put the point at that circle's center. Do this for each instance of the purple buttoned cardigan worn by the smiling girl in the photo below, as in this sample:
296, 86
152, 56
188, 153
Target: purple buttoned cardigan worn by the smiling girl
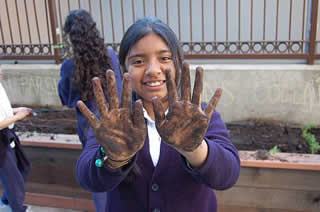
170, 186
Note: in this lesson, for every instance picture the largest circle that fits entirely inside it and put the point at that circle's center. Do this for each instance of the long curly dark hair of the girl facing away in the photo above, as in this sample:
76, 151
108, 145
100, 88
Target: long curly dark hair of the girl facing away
90, 56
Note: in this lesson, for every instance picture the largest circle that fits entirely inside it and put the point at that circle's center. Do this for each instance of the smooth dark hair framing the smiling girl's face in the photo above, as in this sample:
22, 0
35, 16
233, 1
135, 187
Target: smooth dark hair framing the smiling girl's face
147, 26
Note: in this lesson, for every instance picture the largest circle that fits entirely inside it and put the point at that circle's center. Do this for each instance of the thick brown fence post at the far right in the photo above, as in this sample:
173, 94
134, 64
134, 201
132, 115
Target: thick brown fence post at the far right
313, 32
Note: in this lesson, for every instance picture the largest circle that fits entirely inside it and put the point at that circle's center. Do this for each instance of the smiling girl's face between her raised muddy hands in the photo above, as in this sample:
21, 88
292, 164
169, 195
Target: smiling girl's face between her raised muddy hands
146, 63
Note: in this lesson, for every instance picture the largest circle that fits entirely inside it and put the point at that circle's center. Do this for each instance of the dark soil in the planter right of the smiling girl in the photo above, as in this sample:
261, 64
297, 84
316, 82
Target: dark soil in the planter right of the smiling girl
261, 135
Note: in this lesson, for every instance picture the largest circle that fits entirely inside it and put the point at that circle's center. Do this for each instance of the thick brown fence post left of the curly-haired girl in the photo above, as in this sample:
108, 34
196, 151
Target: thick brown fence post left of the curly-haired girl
53, 22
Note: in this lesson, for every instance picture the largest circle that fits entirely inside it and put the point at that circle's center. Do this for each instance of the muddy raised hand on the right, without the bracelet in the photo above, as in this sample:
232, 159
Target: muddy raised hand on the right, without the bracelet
186, 123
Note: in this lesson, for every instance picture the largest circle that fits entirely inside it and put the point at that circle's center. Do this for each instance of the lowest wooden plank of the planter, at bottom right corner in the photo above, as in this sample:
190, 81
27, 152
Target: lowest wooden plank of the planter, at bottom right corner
268, 198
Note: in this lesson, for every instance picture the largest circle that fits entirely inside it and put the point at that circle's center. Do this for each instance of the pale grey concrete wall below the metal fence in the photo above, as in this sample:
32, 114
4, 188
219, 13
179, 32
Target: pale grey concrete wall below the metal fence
286, 93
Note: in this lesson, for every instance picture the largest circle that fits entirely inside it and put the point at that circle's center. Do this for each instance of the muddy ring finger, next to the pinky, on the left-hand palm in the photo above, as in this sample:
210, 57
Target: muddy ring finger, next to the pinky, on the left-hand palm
100, 98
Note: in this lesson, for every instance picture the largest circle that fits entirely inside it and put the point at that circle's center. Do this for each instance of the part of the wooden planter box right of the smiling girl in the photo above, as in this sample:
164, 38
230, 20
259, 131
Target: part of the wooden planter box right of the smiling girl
287, 183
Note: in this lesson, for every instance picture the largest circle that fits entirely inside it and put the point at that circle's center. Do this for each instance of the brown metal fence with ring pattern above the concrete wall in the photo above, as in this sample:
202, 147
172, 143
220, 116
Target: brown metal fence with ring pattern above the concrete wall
249, 29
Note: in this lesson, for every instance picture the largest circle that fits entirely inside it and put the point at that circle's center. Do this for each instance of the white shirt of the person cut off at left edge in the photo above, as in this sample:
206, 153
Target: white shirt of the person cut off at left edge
5, 107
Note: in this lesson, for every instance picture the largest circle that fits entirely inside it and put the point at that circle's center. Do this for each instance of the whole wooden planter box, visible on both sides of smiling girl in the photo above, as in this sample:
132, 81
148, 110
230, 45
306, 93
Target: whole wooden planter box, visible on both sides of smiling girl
287, 183
